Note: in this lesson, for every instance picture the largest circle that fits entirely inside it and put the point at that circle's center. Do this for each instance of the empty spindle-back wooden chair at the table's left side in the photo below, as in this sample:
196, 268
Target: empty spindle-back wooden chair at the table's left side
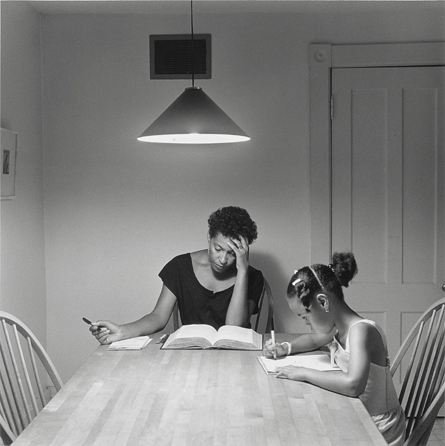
26, 374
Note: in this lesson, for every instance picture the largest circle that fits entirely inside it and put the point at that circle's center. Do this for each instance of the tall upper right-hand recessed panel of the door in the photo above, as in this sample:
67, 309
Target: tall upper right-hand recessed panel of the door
420, 179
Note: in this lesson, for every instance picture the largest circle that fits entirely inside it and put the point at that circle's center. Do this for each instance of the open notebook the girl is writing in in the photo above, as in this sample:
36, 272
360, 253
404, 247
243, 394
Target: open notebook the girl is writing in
317, 360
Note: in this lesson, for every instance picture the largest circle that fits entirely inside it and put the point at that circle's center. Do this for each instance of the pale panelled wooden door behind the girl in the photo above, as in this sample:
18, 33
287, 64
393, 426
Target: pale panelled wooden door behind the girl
388, 190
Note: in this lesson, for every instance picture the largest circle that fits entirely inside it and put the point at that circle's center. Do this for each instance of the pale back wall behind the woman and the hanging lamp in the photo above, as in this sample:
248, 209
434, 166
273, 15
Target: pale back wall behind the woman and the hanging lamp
117, 209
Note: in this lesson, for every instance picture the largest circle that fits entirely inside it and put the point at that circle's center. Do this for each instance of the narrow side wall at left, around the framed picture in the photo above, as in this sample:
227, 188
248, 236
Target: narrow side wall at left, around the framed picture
22, 289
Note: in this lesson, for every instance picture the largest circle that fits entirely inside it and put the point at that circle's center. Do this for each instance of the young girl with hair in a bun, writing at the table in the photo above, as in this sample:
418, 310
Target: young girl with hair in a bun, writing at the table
357, 345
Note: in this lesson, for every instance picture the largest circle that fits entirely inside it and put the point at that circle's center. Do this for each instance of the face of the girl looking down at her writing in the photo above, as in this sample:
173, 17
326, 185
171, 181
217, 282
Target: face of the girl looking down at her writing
315, 315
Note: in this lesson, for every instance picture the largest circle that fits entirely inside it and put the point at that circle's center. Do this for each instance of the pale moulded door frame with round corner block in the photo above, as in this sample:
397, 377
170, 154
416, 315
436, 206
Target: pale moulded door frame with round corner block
323, 58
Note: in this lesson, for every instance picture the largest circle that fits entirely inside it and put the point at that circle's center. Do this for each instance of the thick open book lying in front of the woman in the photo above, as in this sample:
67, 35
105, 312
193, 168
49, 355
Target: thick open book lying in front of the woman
205, 336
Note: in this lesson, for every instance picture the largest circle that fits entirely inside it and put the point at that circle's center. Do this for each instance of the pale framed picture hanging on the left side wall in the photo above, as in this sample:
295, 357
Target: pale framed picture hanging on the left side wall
9, 156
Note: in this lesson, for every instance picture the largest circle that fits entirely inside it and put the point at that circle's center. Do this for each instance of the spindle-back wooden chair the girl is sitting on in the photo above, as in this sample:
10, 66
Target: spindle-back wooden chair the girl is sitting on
423, 369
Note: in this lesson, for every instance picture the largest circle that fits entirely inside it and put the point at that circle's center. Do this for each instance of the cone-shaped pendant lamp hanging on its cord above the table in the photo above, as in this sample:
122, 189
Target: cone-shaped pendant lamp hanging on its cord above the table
193, 118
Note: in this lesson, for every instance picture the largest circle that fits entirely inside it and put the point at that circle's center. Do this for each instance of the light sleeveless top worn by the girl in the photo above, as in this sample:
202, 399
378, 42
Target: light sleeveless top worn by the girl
379, 397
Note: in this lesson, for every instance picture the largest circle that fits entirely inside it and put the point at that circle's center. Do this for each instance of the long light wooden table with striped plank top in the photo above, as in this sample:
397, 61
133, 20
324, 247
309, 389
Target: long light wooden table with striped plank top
201, 397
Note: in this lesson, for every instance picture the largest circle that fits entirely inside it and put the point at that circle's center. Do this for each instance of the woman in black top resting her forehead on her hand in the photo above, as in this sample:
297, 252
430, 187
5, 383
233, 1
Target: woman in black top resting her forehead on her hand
215, 286
